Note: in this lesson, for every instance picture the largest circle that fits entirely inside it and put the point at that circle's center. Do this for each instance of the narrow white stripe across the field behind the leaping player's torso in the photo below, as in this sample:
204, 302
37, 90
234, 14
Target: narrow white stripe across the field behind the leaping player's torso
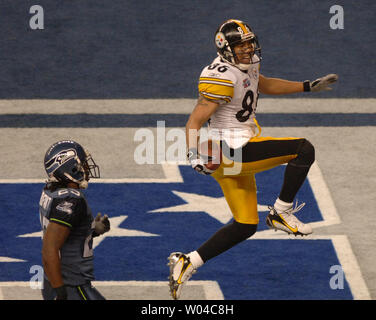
178, 106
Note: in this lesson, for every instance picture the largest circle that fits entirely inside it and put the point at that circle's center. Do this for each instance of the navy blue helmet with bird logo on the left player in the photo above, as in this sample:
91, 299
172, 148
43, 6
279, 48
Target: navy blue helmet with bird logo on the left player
67, 161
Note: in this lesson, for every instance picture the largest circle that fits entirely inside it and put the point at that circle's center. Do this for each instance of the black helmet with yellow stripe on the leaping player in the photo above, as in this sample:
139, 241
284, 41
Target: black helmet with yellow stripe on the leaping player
232, 33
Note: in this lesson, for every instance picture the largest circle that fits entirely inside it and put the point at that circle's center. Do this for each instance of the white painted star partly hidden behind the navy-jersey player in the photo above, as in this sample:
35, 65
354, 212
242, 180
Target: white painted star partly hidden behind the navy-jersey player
115, 231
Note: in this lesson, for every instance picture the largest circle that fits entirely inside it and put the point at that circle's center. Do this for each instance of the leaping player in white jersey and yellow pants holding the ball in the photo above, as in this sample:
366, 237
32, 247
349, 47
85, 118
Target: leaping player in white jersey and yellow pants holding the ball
229, 89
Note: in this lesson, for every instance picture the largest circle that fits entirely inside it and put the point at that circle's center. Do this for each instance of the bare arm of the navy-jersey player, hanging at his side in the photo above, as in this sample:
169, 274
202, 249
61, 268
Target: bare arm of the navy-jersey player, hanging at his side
53, 239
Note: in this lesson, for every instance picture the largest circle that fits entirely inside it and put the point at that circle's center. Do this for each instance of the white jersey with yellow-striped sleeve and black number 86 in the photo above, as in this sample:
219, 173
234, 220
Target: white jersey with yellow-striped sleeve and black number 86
237, 93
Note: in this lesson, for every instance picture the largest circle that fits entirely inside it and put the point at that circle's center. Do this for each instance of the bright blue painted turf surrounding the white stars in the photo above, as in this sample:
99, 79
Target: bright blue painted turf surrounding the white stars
255, 269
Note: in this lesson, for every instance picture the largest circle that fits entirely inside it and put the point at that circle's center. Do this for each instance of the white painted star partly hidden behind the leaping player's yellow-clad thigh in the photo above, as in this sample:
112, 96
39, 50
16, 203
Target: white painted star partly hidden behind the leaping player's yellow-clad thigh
217, 208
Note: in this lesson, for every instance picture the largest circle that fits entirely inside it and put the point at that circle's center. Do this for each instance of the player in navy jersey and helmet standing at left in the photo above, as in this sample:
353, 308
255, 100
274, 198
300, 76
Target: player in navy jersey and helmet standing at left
68, 224
